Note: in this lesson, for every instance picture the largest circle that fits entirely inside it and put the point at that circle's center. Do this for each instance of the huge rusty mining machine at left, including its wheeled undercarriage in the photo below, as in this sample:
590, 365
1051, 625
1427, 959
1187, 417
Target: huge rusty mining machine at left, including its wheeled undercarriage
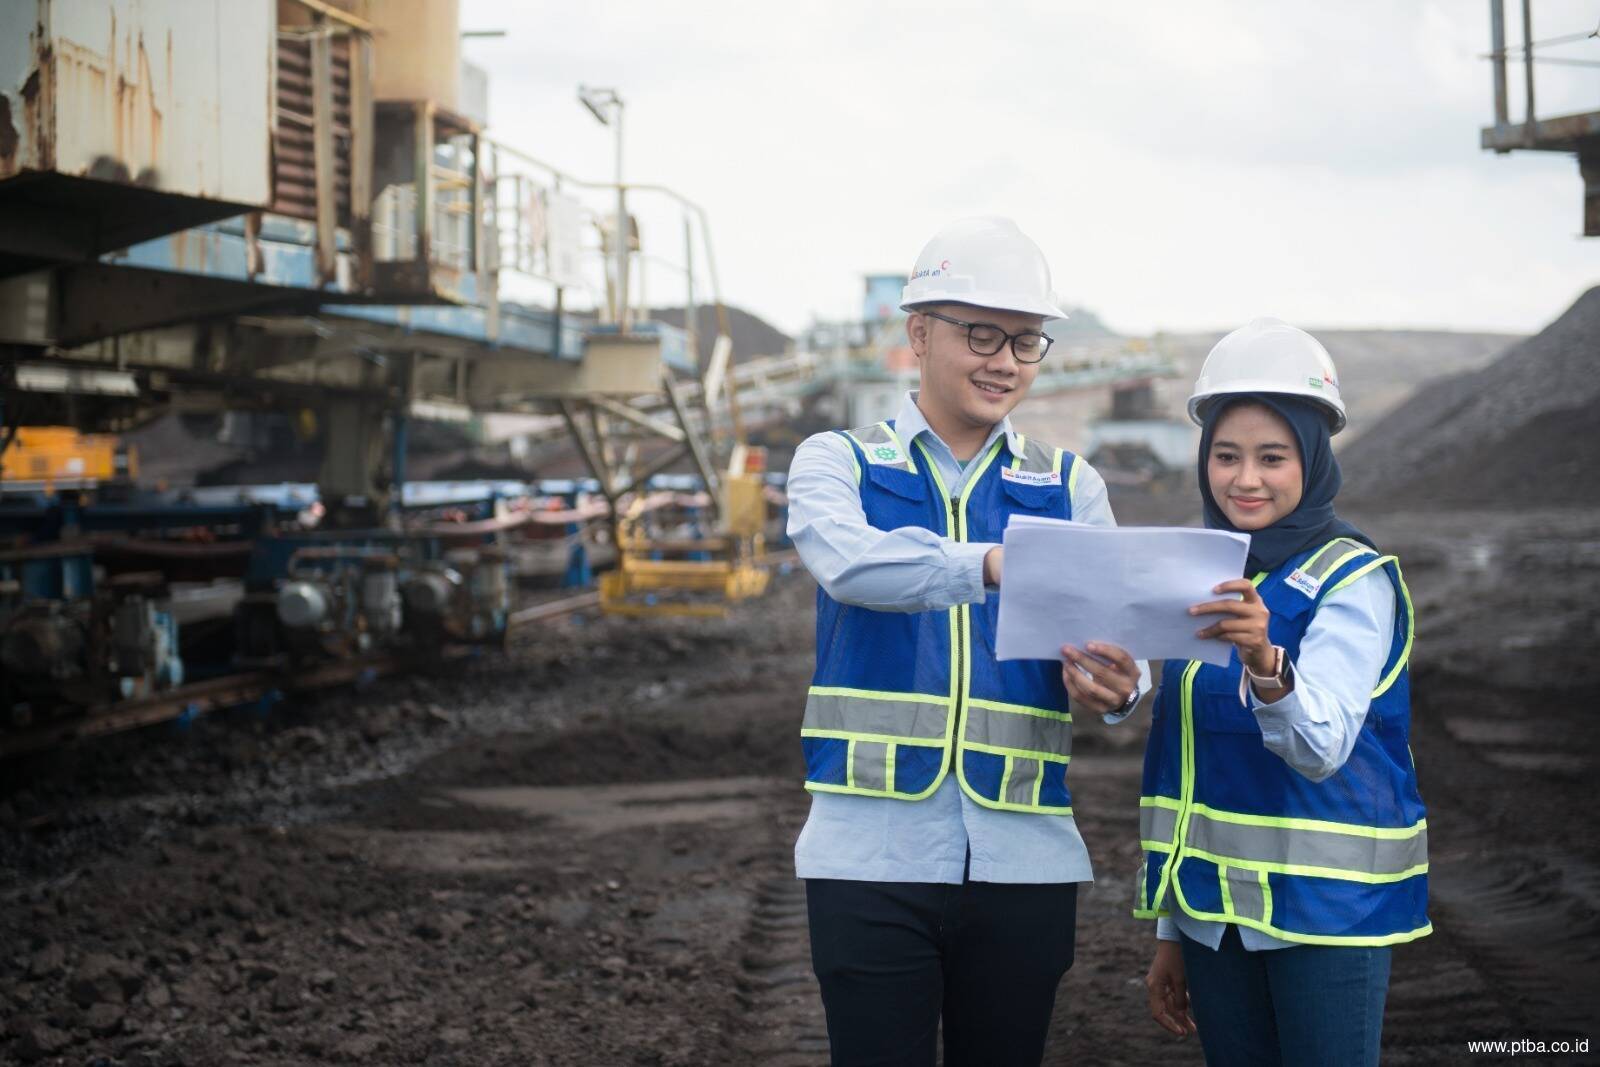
255, 206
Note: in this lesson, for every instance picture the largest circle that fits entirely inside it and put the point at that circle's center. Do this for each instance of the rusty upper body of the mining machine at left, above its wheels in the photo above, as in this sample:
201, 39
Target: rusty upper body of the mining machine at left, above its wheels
295, 226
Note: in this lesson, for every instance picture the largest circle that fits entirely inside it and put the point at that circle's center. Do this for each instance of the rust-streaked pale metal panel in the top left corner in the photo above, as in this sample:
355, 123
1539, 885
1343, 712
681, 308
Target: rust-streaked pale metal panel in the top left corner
169, 95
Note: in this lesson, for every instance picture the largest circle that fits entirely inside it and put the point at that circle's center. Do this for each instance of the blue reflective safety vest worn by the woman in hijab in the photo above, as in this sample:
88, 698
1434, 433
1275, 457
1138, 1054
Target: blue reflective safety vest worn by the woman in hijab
1233, 834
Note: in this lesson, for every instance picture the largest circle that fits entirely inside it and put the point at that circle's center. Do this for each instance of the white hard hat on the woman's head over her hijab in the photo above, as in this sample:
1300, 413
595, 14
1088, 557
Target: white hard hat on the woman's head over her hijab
1270, 356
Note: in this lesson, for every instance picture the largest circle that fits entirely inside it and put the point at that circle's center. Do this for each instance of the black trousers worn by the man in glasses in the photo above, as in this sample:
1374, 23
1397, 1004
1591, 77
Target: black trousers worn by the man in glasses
895, 957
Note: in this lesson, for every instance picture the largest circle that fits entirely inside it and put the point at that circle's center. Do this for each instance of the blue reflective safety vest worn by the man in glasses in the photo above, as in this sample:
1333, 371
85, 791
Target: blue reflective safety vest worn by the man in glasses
902, 698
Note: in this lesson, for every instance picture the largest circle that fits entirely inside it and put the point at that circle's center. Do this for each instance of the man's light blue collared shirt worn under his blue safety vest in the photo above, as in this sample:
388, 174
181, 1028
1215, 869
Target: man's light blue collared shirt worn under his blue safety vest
870, 839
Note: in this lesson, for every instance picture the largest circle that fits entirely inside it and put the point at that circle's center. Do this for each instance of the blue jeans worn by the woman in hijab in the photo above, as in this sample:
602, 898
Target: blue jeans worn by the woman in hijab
1310, 1005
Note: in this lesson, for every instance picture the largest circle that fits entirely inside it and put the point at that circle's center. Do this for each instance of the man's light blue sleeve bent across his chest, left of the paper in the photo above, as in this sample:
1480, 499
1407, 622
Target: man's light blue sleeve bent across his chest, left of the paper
857, 564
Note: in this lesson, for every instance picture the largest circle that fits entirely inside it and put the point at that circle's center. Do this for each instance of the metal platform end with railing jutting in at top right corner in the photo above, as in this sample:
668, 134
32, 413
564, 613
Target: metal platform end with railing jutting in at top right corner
1577, 134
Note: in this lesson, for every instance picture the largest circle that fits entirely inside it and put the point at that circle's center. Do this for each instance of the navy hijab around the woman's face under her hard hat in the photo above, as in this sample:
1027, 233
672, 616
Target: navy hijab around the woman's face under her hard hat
1313, 522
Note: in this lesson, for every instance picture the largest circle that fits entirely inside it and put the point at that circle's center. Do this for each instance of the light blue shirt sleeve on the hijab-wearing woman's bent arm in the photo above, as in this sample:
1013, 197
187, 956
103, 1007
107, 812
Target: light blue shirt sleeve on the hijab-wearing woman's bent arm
1340, 661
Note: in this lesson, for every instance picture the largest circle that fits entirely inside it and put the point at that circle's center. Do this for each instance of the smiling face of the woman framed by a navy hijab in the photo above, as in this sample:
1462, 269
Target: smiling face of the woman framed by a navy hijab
1255, 466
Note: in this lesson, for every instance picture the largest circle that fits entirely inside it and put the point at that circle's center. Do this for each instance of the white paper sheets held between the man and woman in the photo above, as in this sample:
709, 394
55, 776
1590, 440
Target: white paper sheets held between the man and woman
1132, 586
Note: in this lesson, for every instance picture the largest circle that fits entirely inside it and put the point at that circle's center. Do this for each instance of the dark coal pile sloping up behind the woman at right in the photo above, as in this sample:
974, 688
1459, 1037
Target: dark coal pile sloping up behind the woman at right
1514, 434
